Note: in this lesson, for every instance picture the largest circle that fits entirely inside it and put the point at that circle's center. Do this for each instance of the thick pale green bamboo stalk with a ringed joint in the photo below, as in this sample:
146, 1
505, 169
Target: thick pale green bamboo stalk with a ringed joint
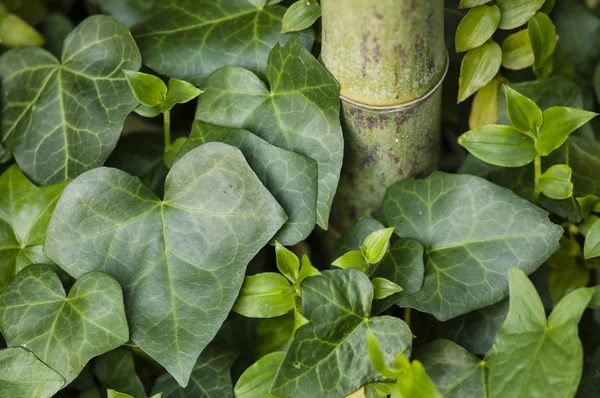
389, 58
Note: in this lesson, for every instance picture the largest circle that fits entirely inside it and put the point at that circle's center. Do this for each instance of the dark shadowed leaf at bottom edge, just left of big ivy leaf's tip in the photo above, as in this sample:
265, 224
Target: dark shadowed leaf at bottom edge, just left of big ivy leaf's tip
116, 370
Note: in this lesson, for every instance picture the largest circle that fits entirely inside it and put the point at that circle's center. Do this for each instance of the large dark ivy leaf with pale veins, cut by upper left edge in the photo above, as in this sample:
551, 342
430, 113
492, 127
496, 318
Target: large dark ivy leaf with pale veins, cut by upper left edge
63, 118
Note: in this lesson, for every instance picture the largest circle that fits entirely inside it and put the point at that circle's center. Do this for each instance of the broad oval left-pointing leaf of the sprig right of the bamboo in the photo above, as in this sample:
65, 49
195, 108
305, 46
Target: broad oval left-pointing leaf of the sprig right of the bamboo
499, 145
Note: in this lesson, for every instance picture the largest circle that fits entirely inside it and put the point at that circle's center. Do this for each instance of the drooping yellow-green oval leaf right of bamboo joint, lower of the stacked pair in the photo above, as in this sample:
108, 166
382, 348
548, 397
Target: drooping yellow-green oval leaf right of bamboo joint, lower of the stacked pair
478, 67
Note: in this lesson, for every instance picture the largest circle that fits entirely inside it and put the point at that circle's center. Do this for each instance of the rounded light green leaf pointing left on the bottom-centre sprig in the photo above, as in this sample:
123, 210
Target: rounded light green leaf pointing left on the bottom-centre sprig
265, 295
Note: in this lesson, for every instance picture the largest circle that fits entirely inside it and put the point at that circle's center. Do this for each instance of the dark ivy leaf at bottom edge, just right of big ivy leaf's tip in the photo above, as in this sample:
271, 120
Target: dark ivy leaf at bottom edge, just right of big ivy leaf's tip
211, 377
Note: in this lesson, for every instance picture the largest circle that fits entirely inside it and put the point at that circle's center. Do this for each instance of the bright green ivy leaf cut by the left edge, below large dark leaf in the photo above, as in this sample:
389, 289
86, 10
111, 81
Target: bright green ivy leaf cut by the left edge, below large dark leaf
25, 212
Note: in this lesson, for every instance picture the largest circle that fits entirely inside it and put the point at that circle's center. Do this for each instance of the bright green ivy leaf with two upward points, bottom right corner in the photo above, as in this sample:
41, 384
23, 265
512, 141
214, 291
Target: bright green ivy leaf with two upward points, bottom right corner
548, 353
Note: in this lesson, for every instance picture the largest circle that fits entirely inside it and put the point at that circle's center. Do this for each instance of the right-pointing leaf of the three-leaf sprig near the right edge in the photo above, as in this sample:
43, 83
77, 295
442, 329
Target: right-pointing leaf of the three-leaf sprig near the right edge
559, 122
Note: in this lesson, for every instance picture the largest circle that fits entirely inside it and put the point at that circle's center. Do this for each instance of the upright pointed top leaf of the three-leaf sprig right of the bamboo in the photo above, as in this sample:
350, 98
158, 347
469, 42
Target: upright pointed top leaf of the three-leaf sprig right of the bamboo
523, 113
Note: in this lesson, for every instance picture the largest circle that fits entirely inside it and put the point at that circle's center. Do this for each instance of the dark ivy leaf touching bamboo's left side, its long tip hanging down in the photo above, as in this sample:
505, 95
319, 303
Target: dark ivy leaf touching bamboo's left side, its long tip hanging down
298, 111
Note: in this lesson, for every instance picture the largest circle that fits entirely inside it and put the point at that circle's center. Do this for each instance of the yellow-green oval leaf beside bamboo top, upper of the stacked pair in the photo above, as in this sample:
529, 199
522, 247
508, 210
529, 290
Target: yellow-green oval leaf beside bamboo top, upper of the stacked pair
476, 27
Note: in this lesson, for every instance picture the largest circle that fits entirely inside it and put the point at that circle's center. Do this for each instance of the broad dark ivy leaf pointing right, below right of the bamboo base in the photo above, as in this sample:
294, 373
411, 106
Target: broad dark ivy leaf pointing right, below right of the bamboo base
473, 232
